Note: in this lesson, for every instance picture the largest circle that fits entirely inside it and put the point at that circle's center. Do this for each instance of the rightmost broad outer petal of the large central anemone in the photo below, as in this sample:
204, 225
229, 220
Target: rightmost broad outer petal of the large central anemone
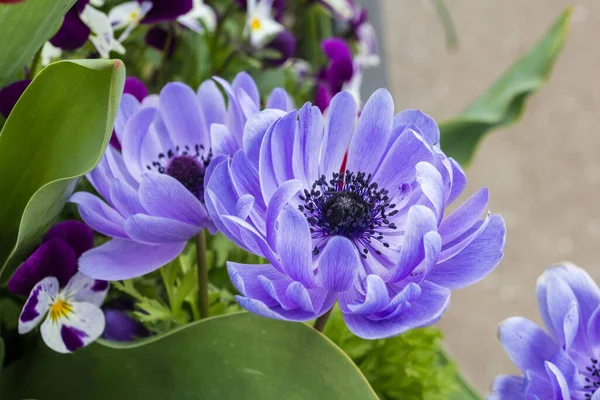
476, 260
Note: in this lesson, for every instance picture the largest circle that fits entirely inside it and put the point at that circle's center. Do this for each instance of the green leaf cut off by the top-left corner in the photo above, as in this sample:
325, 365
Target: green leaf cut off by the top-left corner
25, 27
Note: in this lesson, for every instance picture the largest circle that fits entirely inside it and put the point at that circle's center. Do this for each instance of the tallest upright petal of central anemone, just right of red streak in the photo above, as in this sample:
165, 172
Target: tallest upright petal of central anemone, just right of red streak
371, 133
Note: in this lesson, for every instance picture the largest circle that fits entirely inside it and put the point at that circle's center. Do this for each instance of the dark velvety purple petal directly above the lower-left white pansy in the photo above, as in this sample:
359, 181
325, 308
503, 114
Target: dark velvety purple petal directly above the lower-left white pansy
53, 258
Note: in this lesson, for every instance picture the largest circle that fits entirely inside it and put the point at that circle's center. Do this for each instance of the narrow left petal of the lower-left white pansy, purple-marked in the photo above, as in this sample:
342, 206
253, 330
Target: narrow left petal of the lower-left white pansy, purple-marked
38, 303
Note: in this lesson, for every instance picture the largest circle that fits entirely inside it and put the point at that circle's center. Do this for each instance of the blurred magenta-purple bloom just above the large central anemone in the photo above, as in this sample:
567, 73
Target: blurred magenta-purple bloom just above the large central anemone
339, 71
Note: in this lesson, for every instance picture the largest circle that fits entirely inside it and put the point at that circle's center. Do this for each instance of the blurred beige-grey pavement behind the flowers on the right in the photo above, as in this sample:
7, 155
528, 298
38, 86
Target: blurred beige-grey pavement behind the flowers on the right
543, 173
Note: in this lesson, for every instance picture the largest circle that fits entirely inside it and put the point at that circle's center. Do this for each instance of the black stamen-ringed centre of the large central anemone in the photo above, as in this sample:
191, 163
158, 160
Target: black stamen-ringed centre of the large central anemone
350, 205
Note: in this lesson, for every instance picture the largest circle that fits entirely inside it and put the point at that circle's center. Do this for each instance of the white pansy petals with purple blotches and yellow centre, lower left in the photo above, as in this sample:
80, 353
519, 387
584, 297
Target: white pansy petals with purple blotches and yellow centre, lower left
73, 315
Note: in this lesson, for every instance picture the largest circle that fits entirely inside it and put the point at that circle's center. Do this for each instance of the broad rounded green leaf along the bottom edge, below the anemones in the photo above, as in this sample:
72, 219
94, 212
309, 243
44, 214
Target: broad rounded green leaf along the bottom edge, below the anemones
237, 356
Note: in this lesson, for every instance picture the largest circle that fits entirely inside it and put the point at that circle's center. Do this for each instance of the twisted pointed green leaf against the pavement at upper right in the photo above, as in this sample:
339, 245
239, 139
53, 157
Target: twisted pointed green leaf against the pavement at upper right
504, 102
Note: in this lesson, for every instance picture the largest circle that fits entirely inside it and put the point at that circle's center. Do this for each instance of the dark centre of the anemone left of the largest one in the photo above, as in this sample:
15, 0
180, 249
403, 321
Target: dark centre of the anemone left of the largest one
186, 165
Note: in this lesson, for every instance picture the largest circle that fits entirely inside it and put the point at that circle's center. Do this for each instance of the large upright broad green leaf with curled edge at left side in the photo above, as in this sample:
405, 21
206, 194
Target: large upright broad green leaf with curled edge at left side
56, 133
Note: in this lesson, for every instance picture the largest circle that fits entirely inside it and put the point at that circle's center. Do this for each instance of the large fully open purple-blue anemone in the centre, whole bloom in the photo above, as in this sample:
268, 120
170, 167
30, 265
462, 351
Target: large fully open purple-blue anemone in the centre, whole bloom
374, 237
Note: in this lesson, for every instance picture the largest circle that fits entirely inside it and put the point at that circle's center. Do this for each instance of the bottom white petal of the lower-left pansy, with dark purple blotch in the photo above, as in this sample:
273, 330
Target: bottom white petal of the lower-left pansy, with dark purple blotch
83, 324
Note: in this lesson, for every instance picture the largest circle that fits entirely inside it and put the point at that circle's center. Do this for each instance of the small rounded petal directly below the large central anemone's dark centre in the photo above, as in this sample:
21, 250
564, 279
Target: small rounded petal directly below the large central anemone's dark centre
338, 264
